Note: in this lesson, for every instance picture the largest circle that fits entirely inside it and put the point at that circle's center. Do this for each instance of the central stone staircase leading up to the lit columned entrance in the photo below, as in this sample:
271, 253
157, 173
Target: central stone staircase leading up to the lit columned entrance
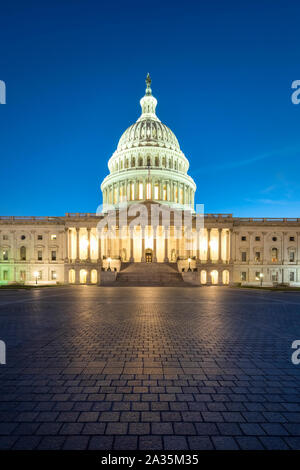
149, 274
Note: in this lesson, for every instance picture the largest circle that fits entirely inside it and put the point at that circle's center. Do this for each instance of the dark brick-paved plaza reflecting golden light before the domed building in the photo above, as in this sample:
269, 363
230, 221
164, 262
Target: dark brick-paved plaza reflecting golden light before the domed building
149, 368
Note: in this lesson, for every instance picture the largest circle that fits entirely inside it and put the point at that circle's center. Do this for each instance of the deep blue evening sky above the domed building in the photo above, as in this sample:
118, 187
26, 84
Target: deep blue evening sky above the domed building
222, 74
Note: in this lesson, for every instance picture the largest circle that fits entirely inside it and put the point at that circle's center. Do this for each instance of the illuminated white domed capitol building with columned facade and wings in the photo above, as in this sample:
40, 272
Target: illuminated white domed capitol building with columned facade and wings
148, 230
